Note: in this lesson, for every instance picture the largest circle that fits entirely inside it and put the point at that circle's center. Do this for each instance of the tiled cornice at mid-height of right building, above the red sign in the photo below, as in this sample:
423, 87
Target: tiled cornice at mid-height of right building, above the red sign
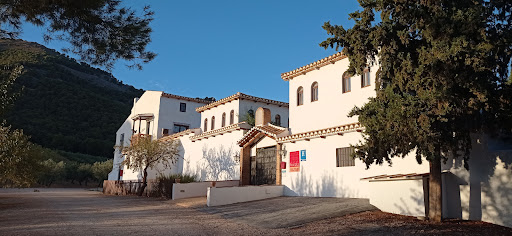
322, 133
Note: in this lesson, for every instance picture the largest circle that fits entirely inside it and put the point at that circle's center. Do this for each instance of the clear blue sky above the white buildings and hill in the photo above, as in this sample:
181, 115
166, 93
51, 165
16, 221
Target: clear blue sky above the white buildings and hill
218, 48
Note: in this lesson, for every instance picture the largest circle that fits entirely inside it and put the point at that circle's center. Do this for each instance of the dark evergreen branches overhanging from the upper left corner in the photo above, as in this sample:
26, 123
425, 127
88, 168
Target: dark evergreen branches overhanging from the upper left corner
99, 31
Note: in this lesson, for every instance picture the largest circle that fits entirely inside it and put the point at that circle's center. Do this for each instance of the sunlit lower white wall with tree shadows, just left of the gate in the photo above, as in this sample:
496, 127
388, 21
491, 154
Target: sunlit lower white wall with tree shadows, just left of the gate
213, 159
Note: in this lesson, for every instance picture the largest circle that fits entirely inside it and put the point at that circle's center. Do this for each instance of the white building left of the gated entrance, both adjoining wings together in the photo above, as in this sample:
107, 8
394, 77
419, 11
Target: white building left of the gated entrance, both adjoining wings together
207, 132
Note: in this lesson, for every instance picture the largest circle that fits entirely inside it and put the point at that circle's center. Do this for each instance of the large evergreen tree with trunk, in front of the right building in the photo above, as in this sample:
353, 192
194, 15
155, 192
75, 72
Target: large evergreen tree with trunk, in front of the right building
444, 69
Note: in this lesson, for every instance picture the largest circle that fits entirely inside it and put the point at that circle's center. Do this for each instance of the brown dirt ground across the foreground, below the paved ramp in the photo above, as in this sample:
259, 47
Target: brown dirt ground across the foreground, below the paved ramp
82, 212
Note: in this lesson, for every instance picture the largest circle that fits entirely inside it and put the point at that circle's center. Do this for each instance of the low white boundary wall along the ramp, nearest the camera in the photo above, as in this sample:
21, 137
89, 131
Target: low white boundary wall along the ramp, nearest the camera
230, 195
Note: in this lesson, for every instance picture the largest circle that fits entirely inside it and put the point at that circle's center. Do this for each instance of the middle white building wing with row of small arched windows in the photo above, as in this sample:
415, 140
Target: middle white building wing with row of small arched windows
211, 152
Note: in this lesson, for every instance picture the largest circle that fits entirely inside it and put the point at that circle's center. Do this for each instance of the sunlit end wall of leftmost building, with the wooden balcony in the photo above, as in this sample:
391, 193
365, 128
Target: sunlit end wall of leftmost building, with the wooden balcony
147, 103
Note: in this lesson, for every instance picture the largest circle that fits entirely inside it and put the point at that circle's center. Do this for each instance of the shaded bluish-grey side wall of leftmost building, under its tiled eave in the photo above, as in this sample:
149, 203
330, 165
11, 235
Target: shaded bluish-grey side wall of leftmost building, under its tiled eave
170, 114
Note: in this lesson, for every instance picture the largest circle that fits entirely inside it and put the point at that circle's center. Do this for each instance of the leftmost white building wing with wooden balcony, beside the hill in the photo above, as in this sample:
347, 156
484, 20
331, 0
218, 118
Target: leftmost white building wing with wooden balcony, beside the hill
156, 114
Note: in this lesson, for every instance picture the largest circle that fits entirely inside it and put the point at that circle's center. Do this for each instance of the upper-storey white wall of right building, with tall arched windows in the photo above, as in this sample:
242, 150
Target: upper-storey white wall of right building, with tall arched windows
333, 106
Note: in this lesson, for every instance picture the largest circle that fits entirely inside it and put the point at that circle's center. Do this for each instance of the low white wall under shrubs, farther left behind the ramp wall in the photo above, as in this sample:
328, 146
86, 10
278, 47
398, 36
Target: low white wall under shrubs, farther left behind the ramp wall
197, 189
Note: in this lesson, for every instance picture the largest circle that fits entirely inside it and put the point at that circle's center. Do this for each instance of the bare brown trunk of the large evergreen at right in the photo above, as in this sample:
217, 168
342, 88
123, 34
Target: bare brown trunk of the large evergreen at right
435, 194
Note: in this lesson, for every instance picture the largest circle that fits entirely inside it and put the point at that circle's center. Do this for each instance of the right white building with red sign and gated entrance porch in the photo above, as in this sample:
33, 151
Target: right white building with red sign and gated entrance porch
312, 157
